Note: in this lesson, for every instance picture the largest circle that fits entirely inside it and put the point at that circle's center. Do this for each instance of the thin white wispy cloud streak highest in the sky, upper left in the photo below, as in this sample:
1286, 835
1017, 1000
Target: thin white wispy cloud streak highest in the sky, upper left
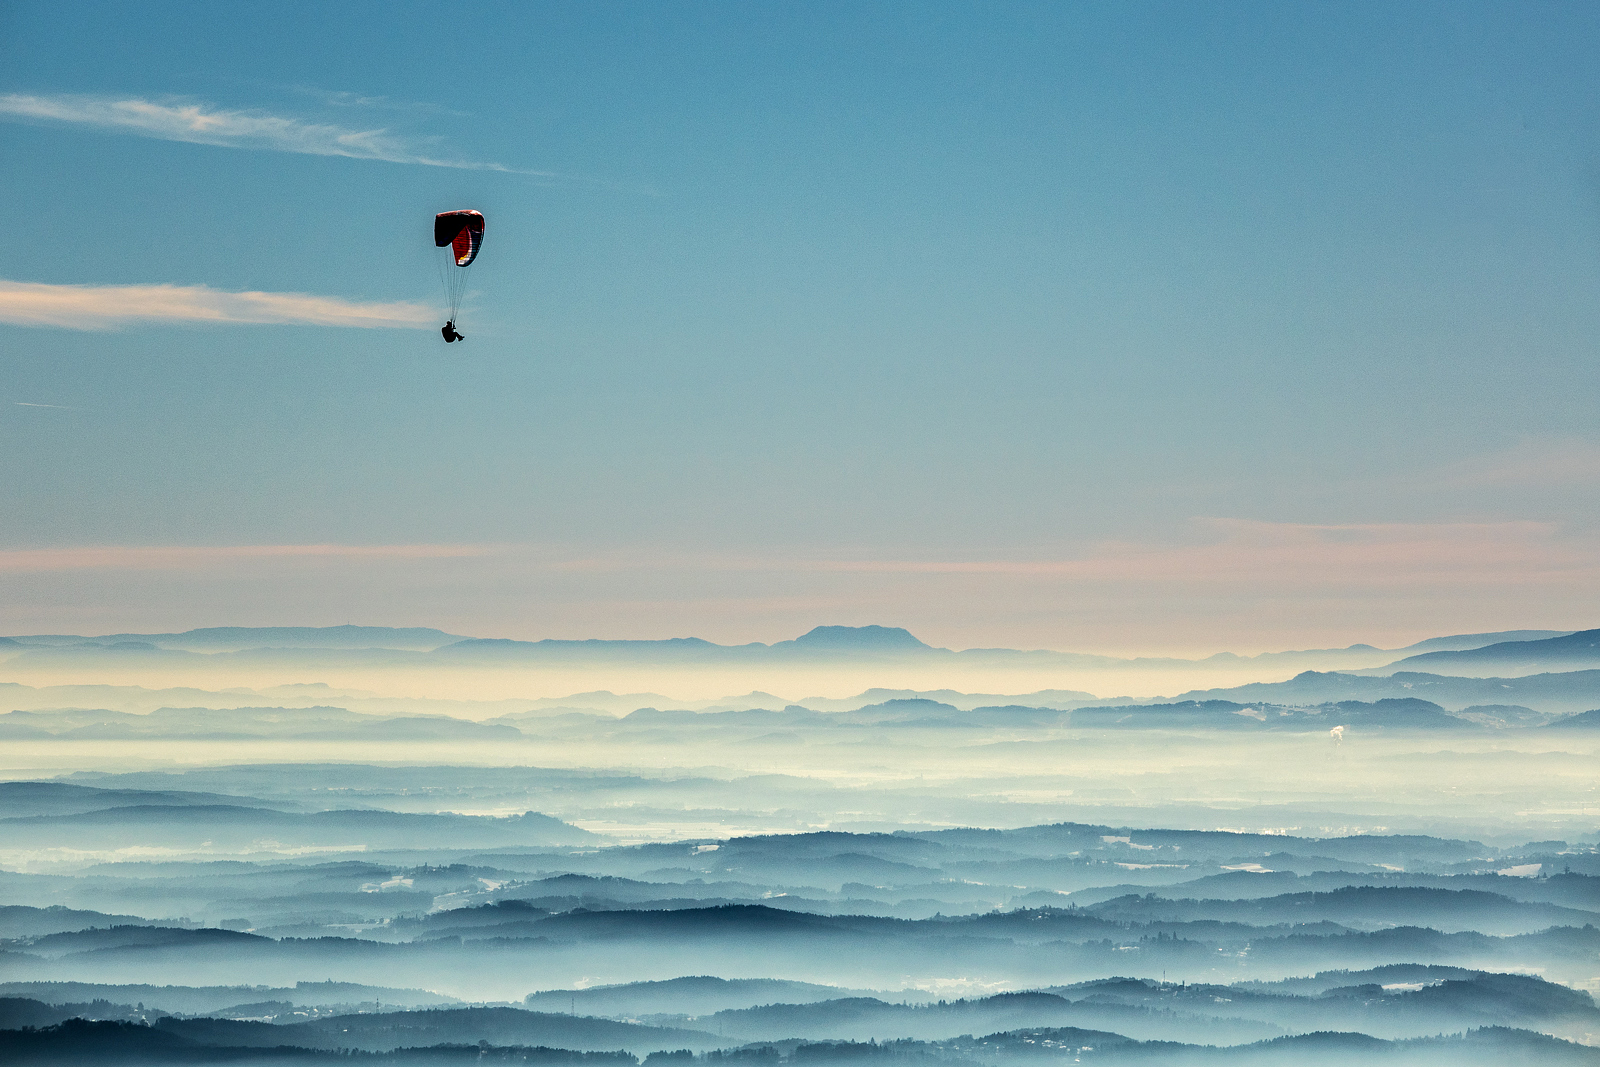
204, 124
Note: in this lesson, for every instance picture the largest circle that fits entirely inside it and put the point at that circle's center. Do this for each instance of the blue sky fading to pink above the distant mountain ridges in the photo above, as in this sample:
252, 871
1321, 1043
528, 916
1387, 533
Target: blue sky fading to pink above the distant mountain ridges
1162, 327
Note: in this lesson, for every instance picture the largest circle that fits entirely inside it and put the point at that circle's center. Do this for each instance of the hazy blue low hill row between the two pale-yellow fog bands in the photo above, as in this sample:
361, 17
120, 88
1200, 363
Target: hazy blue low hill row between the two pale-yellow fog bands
1295, 706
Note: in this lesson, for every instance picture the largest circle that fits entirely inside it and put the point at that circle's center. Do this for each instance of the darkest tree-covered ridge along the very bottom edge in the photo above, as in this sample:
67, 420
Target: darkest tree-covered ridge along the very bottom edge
204, 1042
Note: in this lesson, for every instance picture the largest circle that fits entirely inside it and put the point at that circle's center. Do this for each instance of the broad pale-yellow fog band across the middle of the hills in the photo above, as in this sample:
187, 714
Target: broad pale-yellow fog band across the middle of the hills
670, 786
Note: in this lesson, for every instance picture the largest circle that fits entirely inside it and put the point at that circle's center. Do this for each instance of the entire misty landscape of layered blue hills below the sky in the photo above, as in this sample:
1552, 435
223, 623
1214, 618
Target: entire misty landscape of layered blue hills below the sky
1295, 858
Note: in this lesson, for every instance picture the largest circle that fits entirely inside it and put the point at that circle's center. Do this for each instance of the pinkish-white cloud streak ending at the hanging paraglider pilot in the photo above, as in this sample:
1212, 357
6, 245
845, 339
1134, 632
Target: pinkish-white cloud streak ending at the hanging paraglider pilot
110, 306
